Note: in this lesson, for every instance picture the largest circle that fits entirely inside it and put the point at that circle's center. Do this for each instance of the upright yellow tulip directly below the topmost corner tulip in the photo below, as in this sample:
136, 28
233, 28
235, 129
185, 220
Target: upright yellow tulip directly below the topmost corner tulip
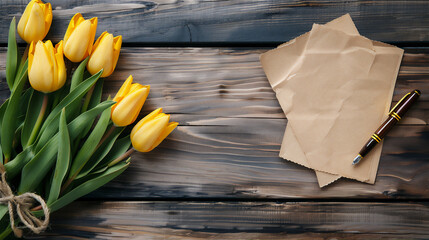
46, 68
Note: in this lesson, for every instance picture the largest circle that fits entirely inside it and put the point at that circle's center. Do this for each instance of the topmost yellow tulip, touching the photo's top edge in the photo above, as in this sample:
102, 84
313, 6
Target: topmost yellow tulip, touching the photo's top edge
35, 21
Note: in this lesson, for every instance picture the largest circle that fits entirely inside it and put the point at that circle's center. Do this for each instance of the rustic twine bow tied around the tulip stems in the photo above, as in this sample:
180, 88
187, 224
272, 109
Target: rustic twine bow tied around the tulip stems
21, 205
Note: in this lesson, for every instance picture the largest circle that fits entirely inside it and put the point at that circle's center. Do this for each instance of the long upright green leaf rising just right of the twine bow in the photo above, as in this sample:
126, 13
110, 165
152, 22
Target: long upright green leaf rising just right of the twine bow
63, 159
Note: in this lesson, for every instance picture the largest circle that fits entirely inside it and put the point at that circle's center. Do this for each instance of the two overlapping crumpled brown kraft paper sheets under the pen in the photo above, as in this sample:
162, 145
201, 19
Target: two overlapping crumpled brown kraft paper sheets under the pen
335, 88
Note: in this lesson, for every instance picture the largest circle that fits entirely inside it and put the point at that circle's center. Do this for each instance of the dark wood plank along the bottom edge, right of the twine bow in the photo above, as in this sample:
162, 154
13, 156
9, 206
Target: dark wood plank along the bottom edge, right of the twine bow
240, 220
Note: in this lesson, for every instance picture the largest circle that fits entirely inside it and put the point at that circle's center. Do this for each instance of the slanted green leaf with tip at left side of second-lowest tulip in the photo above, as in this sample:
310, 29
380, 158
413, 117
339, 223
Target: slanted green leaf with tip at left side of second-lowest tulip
90, 145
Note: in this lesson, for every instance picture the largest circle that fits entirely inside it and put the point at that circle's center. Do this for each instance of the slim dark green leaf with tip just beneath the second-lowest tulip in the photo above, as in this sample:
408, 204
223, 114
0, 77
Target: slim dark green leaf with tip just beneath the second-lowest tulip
100, 153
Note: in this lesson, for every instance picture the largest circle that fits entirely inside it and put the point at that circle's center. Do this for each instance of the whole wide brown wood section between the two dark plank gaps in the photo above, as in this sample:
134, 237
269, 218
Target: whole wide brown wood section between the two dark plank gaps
231, 128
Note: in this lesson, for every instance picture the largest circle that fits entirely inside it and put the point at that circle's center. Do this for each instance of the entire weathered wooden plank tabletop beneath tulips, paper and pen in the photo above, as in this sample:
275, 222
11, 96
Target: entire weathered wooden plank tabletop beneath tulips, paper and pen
218, 176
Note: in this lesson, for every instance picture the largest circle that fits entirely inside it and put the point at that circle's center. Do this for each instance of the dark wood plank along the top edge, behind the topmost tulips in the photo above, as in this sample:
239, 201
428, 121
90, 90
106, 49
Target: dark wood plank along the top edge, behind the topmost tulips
235, 21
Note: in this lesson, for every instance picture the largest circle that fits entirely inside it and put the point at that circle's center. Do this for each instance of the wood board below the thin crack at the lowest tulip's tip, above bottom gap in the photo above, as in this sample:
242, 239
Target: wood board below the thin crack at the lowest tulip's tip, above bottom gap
238, 158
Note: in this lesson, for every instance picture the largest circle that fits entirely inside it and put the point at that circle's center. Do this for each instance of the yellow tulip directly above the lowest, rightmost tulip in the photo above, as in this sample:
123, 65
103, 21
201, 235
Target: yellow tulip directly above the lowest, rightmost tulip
129, 101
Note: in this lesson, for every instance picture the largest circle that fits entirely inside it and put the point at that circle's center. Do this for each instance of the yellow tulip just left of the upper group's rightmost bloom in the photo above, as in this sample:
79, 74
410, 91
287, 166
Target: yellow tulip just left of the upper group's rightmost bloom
79, 38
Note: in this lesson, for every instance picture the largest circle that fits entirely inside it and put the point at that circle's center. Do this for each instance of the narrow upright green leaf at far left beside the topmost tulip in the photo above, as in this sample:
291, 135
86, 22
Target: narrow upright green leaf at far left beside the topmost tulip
12, 55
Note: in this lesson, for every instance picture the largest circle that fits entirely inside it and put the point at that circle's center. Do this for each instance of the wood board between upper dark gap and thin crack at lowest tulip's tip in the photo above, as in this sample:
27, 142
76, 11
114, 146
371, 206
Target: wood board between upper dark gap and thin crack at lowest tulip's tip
224, 82
